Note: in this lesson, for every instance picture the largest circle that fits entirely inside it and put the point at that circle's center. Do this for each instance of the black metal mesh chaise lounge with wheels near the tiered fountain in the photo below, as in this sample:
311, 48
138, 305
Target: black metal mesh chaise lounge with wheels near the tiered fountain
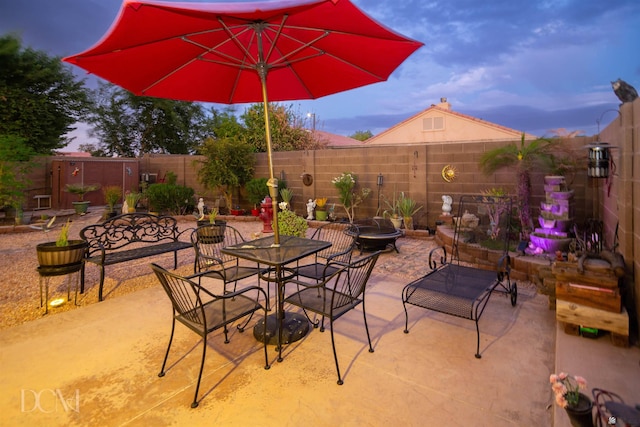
464, 291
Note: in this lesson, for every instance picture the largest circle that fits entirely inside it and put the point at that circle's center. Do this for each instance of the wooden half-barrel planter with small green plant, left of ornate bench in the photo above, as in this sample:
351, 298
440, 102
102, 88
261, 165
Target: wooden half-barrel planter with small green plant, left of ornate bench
63, 253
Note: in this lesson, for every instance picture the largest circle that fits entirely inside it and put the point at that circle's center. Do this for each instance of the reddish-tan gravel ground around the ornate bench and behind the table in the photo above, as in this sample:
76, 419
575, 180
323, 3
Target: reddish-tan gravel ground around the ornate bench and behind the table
19, 280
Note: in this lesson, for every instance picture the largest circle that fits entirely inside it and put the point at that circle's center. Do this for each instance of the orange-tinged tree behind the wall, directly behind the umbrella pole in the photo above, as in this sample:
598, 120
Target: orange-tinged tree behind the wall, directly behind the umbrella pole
287, 132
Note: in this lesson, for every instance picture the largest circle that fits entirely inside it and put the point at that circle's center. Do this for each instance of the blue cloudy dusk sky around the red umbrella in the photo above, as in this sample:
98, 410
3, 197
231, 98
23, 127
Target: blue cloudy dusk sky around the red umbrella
534, 66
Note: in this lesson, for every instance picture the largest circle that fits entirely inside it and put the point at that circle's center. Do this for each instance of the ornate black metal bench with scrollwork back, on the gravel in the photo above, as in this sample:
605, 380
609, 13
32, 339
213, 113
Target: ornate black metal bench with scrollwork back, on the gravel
131, 236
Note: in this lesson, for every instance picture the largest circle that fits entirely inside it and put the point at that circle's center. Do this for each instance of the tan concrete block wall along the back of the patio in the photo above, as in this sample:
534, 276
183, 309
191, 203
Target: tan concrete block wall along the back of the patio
415, 170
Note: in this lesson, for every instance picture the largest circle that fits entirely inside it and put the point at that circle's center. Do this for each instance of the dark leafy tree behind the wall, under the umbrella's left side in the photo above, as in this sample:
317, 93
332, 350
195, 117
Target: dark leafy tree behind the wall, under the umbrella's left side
130, 125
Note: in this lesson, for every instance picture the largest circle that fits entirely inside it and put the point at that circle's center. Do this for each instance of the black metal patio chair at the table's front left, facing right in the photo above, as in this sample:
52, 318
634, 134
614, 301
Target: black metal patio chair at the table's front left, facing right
204, 312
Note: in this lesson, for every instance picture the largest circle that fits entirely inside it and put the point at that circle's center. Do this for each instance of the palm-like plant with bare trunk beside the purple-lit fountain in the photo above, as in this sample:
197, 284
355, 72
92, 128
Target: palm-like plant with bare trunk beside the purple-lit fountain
529, 156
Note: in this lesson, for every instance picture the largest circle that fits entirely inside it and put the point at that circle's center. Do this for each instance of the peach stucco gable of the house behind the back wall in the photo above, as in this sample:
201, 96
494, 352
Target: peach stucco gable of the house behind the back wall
439, 123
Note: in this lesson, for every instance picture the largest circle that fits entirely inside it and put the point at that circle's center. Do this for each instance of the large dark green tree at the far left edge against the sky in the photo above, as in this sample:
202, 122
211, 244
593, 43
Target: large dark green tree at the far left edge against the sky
40, 98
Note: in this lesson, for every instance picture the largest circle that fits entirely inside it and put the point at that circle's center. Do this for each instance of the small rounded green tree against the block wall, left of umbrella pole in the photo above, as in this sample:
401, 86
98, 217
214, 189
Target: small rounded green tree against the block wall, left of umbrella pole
229, 164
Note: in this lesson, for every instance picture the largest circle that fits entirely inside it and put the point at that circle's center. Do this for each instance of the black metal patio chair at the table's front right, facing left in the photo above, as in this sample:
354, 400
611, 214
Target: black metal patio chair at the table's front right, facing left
339, 293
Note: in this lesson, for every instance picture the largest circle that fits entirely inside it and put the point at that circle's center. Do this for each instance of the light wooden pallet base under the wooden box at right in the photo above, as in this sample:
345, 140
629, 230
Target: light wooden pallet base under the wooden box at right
576, 315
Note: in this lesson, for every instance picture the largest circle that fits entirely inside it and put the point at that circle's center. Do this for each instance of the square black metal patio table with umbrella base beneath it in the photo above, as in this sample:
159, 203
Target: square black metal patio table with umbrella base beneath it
264, 251
